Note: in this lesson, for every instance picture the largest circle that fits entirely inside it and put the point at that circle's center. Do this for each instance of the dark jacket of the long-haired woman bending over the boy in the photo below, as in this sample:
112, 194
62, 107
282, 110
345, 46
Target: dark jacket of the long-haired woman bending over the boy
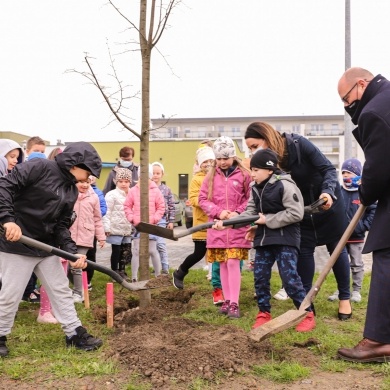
314, 174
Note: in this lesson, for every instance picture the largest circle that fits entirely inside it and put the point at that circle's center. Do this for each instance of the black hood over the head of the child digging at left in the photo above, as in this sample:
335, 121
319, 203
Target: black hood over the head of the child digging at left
80, 153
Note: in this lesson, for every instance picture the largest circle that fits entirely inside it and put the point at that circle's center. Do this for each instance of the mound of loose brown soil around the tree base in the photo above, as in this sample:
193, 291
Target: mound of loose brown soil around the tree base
164, 347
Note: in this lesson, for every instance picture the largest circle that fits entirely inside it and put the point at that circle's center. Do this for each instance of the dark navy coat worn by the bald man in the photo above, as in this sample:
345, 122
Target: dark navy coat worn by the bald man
373, 135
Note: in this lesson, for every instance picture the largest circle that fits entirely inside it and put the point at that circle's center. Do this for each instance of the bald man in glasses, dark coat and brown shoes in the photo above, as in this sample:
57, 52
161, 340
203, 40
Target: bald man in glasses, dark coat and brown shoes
366, 99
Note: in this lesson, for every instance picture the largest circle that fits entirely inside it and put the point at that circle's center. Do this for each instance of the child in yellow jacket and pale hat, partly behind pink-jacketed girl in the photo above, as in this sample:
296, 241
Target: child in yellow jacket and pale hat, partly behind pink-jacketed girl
205, 160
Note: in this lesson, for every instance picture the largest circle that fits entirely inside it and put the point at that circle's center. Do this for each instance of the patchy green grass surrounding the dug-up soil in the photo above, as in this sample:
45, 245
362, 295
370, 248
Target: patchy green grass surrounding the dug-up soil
38, 350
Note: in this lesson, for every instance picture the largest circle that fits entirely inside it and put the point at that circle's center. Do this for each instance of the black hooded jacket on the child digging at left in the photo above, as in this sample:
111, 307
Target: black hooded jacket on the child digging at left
39, 196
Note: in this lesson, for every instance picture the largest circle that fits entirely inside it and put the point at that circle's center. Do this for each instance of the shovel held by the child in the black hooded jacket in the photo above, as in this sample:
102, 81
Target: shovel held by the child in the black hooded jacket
142, 285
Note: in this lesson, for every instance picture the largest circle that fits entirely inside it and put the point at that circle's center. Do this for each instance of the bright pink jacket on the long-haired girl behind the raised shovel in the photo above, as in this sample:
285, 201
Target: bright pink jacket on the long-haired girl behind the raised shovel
229, 193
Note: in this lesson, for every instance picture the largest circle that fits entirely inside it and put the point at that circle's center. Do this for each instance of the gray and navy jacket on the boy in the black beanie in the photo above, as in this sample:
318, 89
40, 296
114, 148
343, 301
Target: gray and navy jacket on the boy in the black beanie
281, 202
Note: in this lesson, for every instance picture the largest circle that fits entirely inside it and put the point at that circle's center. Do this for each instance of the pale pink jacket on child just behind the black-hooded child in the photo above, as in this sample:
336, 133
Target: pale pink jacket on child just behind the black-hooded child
88, 223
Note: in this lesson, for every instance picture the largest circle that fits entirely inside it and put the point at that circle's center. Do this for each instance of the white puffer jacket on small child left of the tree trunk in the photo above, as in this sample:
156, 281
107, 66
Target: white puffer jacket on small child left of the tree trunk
115, 221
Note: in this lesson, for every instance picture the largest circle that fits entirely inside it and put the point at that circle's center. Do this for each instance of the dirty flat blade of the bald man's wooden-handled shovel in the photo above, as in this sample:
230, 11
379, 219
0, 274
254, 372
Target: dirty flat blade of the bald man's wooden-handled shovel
278, 324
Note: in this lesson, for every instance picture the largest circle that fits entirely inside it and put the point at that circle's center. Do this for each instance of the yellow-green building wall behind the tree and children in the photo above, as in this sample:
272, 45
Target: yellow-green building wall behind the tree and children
178, 157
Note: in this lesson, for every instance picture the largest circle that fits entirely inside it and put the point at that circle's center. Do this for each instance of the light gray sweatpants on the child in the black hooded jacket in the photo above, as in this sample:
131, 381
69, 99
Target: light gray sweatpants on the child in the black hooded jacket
16, 271
